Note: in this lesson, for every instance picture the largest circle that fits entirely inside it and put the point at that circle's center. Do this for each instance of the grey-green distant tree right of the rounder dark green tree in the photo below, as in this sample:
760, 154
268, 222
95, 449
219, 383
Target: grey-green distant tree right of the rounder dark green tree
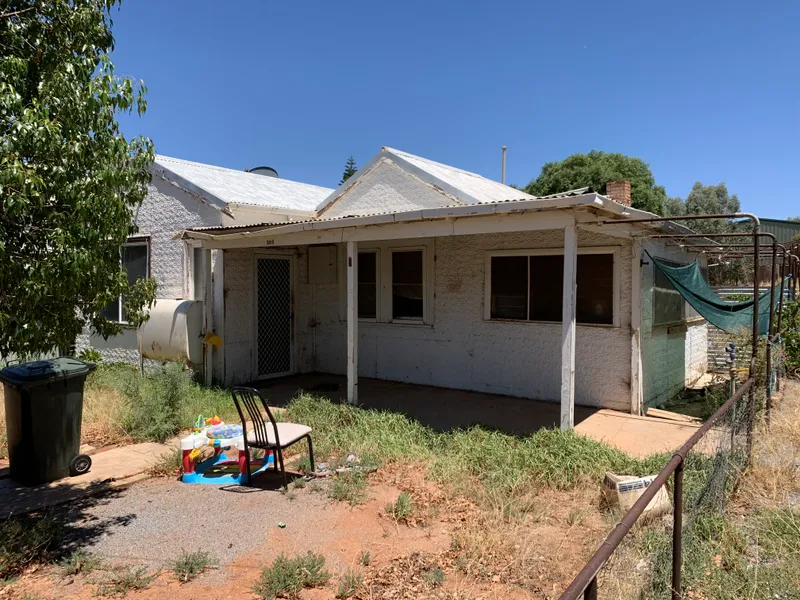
706, 200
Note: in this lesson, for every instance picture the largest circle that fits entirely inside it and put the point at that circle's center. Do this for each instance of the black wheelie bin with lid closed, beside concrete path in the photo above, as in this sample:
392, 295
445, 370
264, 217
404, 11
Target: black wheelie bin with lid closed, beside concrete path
44, 408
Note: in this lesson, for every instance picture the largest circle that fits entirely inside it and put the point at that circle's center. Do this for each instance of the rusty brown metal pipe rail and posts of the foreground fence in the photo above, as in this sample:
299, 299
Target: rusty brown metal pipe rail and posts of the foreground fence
586, 581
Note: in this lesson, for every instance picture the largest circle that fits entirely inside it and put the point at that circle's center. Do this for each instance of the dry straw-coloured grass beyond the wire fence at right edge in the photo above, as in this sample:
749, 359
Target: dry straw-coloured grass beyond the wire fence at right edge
776, 451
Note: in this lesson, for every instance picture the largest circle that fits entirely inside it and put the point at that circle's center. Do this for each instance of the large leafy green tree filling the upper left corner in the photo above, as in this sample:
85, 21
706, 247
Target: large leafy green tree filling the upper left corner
69, 179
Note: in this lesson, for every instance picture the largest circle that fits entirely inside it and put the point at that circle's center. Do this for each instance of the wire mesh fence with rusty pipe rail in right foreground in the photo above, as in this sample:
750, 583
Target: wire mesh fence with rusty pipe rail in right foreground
664, 556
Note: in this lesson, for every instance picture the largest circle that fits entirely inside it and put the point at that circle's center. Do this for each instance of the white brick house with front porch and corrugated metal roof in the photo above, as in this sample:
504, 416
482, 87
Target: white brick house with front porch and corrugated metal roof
419, 272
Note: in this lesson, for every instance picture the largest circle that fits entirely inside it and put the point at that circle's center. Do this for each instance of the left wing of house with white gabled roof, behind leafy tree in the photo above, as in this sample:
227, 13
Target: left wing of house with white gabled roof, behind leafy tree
184, 194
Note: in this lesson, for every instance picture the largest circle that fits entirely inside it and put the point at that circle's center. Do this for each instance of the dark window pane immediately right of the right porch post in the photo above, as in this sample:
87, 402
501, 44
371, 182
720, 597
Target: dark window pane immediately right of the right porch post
595, 297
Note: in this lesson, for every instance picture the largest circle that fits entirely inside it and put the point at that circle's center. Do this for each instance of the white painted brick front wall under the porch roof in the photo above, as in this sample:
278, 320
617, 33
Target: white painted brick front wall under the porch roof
460, 350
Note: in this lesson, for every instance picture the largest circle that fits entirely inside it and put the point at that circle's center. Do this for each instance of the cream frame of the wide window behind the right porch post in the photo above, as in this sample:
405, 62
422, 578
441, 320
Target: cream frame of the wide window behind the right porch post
616, 300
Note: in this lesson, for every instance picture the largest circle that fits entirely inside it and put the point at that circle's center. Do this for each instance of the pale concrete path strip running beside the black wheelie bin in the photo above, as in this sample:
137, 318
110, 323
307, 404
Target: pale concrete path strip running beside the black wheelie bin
111, 469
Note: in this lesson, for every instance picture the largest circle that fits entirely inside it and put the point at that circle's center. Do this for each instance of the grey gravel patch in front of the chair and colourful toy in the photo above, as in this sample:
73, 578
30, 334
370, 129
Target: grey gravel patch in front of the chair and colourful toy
153, 521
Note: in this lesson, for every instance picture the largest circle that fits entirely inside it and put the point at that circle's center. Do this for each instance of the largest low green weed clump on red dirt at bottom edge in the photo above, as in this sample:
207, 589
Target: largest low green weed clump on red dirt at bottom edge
287, 576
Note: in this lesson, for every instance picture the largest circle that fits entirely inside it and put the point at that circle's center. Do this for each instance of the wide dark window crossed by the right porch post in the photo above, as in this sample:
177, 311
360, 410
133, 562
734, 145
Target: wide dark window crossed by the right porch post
525, 286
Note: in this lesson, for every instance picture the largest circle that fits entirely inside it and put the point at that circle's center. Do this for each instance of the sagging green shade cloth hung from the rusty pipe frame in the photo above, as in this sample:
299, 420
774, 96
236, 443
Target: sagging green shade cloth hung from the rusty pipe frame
728, 316
